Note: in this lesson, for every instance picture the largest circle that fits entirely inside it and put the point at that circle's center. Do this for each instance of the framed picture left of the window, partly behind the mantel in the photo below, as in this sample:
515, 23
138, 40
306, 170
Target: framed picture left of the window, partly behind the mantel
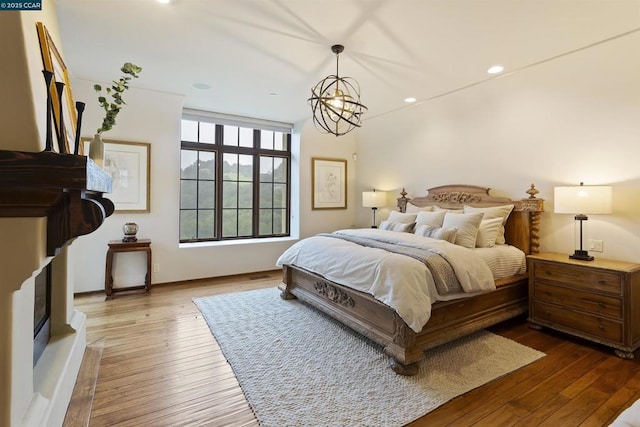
128, 165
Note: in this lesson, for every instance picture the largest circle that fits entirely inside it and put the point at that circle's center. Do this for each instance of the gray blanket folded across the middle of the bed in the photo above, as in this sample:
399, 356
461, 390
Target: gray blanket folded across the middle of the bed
443, 274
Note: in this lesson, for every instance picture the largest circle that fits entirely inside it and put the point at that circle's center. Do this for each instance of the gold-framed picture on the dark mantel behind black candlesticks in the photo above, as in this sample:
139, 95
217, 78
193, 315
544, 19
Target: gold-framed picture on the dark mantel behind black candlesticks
64, 109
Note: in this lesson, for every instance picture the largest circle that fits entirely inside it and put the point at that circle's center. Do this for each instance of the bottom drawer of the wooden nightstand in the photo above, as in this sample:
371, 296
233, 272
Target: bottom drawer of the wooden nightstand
592, 325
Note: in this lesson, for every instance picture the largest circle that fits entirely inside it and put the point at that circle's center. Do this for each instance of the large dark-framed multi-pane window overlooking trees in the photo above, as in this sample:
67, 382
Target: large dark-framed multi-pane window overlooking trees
234, 178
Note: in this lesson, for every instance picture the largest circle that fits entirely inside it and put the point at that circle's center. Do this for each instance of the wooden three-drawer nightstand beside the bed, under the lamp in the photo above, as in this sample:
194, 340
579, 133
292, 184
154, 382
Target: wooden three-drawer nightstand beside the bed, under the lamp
596, 300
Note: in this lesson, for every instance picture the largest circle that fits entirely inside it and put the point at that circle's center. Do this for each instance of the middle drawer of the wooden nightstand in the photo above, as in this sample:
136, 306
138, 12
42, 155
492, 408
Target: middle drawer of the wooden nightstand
593, 303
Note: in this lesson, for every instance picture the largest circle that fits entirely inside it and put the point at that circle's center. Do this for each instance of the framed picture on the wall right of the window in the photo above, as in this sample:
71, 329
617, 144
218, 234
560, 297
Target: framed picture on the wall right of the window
329, 183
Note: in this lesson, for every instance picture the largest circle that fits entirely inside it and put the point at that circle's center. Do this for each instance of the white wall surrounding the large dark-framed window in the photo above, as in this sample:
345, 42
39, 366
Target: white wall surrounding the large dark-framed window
154, 117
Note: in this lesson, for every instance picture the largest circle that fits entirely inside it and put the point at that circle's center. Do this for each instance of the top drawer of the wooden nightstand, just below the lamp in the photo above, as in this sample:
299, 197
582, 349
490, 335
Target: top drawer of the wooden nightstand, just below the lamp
582, 278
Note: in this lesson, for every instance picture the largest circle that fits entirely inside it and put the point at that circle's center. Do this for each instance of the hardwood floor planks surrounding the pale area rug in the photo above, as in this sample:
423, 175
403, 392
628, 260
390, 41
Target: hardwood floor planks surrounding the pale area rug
157, 364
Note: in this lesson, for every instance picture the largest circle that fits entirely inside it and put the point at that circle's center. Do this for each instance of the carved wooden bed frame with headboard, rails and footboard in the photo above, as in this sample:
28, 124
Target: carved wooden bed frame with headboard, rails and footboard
449, 319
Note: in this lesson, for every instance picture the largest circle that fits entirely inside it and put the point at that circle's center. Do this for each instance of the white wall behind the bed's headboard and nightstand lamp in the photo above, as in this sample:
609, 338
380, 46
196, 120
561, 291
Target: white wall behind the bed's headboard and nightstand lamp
557, 123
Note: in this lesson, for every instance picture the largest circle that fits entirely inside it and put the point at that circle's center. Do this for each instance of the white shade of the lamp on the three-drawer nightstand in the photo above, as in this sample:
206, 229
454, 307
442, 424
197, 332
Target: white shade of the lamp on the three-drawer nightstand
583, 199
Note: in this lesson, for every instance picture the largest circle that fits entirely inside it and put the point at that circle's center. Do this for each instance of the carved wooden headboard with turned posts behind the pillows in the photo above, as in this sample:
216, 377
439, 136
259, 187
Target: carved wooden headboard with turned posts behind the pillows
522, 229
